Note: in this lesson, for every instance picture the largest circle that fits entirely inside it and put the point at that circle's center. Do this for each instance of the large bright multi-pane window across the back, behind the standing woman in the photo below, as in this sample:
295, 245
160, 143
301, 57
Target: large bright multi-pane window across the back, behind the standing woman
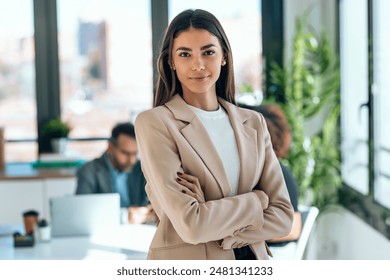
106, 65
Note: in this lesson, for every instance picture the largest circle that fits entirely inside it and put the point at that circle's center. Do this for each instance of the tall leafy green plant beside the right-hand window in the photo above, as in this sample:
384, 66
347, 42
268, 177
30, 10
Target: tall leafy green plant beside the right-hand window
311, 84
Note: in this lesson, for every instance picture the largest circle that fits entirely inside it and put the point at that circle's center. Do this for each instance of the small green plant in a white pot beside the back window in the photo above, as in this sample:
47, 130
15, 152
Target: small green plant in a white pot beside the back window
57, 132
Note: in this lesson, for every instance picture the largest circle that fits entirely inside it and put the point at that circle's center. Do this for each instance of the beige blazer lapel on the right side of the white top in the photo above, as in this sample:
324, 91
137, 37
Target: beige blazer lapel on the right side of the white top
246, 138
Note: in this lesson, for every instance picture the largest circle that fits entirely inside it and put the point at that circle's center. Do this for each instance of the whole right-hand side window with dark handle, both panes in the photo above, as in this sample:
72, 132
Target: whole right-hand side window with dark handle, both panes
365, 89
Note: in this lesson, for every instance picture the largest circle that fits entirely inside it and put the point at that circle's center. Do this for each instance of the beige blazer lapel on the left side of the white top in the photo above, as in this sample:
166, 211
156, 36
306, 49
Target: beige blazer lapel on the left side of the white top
197, 136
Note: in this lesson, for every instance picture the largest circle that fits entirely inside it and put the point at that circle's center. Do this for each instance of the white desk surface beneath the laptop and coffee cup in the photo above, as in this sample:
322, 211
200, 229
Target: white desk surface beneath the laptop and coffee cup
125, 242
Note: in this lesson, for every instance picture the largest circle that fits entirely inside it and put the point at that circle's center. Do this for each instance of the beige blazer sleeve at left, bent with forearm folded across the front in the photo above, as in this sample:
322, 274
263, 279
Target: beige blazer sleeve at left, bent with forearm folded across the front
194, 222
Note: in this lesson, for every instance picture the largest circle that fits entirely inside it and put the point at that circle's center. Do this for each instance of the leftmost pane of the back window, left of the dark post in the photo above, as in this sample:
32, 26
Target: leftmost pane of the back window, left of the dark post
18, 113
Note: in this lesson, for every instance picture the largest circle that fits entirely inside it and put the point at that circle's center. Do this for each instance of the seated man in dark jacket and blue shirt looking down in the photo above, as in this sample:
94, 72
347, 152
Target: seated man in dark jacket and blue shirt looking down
119, 170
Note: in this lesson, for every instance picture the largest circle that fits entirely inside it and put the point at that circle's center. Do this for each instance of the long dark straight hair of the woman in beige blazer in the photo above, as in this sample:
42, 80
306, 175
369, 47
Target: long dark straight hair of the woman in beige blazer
167, 82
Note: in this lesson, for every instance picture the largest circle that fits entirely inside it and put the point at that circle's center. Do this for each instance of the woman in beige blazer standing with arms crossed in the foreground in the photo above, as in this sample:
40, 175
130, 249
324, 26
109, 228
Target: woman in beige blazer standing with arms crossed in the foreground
212, 176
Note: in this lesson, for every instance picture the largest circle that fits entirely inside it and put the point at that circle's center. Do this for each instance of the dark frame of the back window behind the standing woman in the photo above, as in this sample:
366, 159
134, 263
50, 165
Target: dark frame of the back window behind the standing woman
47, 62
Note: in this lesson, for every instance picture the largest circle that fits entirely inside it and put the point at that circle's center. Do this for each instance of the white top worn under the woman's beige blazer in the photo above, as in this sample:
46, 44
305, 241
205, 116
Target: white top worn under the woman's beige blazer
222, 135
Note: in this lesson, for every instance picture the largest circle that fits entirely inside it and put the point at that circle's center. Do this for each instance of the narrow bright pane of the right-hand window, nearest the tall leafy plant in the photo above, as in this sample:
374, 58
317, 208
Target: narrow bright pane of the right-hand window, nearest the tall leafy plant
354, 89
